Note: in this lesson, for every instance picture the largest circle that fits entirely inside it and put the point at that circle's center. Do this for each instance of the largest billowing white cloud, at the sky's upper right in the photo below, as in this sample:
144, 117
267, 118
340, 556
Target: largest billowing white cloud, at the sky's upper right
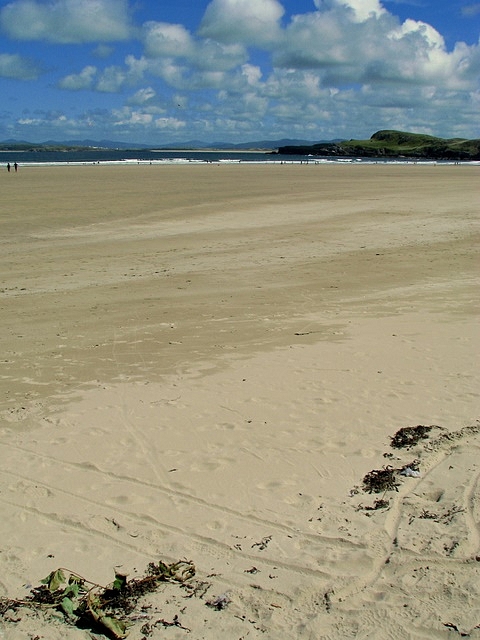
358, 41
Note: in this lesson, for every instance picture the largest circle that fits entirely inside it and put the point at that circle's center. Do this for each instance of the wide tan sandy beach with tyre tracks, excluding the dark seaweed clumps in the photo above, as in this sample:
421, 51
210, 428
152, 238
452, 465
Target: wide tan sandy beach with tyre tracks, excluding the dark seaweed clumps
203, 362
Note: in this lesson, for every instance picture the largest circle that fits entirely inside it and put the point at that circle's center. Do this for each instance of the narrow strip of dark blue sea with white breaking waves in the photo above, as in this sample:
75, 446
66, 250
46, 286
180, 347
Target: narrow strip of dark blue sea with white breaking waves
118, 156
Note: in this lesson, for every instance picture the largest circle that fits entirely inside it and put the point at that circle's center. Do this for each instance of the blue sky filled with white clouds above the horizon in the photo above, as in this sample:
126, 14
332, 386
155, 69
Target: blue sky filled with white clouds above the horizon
159, 71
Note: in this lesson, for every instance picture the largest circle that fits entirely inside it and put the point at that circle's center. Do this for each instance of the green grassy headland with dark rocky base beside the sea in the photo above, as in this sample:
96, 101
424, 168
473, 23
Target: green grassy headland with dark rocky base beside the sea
393, 144
